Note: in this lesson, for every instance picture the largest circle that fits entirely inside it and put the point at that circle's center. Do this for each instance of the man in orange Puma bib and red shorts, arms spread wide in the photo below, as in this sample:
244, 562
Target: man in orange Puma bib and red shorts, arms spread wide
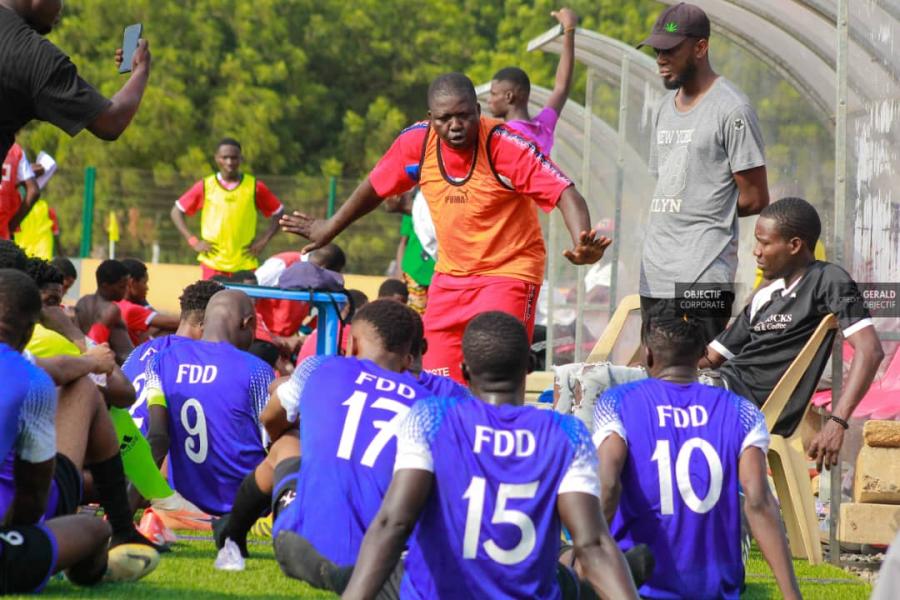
482, 182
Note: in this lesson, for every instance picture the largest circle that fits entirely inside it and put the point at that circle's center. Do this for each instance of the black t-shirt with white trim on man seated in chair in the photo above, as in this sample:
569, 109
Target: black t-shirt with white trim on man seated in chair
772, 329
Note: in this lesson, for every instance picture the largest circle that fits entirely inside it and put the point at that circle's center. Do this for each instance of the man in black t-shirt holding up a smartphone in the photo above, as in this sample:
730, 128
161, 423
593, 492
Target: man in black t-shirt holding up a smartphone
38, 81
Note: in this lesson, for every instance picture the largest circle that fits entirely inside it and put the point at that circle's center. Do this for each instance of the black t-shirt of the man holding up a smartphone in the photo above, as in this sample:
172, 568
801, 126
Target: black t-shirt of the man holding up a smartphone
38, 81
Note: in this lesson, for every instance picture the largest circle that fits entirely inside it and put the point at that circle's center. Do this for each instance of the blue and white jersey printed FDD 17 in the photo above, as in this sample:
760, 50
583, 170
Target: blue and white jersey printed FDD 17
350, 411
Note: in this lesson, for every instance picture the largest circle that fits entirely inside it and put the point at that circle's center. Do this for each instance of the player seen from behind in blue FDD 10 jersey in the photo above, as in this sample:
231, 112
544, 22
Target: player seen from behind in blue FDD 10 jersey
673, 453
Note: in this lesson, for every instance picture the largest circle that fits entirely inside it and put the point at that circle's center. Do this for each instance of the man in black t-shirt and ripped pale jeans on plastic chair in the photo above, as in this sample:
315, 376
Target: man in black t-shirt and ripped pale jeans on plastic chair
759, 346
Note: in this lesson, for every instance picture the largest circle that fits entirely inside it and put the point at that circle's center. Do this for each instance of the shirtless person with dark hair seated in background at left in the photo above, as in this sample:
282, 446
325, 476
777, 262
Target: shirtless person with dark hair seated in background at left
97, 314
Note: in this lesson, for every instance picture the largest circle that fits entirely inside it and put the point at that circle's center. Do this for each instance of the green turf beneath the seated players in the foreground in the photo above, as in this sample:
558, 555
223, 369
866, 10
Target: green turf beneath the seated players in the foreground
187, 572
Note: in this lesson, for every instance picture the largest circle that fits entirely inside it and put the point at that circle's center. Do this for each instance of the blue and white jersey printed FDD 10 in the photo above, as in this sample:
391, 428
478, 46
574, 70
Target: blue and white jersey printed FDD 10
680, 481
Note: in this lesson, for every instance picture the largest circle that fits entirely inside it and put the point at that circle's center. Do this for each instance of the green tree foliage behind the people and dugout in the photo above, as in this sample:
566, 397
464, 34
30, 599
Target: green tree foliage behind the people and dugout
317, 89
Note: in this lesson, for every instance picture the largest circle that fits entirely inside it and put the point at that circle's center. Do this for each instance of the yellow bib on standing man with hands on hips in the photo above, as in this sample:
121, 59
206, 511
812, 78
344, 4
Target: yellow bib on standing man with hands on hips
228, 220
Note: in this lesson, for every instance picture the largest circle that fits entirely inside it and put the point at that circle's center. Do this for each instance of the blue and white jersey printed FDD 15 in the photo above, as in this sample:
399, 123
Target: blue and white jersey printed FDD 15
490, 528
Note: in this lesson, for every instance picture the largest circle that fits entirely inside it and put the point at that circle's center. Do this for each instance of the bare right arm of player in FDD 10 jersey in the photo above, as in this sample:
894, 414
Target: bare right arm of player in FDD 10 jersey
764, 519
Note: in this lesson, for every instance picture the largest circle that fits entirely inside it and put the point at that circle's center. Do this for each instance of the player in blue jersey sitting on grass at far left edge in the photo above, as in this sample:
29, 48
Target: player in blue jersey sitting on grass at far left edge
31, 550
